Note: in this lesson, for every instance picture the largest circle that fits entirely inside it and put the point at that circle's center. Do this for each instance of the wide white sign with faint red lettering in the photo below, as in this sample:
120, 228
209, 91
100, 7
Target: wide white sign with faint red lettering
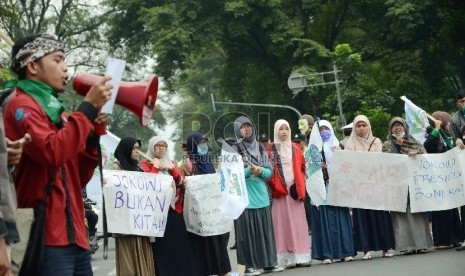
368, 180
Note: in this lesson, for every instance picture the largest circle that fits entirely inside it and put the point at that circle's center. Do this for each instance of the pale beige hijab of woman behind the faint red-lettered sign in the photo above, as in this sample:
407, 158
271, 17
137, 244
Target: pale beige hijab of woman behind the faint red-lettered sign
358, 143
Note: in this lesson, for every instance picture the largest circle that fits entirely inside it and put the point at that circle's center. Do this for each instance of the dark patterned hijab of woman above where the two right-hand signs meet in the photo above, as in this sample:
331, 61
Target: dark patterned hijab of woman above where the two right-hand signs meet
409, 143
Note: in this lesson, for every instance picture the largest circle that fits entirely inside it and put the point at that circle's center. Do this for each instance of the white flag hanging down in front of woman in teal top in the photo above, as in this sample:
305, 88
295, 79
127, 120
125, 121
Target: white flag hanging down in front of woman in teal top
233, 187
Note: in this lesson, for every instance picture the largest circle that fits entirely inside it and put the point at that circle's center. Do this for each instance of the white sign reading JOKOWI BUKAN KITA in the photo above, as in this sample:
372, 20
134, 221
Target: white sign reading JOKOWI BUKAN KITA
137, 203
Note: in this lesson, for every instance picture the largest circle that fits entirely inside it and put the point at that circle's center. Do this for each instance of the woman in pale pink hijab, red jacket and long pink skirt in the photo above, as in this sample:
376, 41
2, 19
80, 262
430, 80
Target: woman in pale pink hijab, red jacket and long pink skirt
288, 189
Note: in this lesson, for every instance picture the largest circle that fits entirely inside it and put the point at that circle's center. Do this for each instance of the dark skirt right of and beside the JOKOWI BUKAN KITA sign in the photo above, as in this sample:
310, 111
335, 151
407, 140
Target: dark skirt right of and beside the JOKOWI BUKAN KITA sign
170, 252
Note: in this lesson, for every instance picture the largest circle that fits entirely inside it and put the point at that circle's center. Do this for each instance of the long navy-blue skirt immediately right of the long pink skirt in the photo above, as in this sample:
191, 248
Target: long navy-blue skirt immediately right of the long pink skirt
331, 233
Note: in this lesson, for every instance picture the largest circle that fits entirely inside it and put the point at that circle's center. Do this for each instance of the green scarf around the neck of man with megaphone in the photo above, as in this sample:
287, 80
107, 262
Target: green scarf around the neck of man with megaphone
45, 96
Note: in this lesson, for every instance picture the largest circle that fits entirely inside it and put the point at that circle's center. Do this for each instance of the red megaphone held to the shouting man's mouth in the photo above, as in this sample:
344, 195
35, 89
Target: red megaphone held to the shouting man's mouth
139, 97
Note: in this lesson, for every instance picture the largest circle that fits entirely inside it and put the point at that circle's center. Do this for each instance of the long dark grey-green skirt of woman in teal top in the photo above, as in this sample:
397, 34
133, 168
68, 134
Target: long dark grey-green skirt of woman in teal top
255, 240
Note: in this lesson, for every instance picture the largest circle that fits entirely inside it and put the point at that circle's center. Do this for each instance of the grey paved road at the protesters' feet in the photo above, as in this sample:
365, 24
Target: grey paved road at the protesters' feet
435, 263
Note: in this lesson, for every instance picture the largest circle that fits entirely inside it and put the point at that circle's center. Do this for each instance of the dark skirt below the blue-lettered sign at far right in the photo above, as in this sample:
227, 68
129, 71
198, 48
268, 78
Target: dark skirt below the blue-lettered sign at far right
446, 227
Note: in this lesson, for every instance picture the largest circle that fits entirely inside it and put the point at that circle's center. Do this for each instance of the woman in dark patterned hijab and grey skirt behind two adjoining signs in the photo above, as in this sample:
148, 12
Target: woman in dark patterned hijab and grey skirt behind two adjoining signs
411, 230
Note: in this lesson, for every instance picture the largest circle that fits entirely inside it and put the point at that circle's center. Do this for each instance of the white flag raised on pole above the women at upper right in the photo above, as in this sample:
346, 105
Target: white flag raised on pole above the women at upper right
416, 119
